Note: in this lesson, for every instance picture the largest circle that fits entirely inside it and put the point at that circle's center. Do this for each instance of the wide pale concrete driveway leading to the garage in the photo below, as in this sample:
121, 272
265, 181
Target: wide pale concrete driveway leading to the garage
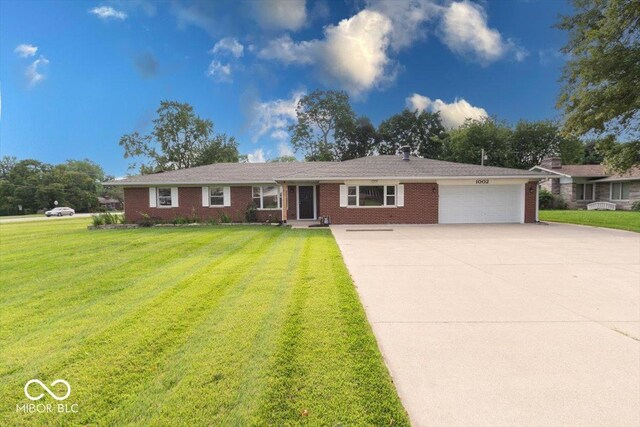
530, 324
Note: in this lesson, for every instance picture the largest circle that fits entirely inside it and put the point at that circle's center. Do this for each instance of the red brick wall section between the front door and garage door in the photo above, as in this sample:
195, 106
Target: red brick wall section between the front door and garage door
420, 207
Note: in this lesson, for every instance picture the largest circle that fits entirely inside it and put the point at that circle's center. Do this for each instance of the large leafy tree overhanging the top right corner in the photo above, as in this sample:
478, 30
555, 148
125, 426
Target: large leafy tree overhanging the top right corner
602, 76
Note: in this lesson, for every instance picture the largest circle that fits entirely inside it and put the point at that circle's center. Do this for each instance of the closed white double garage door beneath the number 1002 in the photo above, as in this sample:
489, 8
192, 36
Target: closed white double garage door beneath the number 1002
470, 204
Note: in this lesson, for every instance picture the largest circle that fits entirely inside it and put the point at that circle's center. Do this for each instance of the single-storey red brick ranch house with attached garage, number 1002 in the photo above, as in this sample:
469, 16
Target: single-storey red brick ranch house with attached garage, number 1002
369, 190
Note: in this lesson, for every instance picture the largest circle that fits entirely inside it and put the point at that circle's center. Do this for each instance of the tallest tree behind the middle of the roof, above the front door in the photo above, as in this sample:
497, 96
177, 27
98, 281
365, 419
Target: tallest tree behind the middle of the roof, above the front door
321, 118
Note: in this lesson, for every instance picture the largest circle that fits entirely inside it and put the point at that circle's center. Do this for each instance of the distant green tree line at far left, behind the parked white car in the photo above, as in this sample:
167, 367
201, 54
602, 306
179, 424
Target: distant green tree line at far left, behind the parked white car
33, 185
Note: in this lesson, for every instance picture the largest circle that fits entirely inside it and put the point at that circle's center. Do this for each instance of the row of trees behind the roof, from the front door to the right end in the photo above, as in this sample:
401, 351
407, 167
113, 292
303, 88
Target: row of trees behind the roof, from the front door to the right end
327, 129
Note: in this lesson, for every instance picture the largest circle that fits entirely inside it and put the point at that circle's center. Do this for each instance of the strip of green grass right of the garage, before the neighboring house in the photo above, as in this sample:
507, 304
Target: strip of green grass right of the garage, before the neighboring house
622, 220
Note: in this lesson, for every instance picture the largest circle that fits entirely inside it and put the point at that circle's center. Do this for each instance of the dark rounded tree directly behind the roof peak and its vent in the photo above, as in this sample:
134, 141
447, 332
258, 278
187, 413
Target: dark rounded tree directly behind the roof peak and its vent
421, 130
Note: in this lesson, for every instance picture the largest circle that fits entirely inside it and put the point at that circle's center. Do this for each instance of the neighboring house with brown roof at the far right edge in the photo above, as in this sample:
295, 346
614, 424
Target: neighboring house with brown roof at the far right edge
579, 185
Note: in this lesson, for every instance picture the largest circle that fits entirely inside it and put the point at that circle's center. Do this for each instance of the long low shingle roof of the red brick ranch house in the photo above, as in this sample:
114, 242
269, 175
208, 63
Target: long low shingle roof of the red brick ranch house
367, 167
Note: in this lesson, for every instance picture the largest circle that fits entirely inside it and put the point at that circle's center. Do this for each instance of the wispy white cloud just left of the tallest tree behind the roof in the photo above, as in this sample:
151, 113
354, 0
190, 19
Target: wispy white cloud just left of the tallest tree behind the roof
273, 117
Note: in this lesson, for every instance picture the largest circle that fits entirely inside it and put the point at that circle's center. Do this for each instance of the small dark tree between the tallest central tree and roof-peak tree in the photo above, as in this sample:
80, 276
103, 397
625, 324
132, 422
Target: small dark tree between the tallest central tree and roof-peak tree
359, 139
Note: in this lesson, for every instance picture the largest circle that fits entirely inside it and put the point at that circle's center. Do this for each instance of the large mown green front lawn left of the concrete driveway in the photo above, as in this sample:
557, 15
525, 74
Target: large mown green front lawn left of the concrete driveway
187, 326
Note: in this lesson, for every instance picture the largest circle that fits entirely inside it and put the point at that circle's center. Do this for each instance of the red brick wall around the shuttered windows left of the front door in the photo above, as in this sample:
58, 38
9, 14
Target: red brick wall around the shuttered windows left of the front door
190, 202
